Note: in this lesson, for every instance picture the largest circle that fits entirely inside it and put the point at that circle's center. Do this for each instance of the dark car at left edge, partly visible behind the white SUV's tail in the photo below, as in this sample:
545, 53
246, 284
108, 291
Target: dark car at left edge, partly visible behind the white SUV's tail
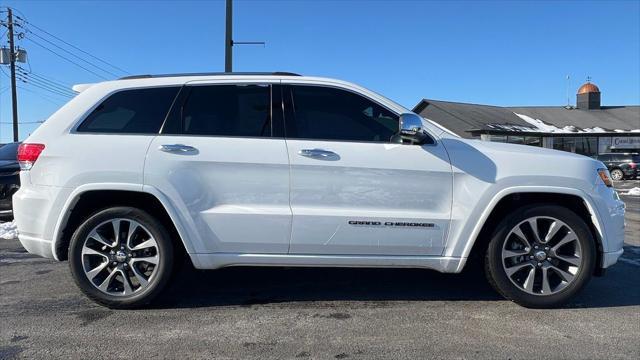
9, 178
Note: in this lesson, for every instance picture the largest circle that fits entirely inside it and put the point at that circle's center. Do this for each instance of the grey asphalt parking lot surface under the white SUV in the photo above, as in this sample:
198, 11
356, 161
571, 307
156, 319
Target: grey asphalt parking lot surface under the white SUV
262, 313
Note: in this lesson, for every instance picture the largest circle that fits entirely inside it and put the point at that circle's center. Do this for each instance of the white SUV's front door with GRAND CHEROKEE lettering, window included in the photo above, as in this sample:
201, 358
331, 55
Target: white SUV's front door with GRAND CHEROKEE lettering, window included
353, 190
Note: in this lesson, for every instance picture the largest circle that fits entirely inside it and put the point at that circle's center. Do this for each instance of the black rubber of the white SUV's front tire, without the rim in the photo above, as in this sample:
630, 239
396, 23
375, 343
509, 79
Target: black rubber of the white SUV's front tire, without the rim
511, 291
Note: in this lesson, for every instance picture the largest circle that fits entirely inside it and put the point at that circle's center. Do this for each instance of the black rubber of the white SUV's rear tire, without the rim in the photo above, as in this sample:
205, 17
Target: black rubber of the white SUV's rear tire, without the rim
162, 272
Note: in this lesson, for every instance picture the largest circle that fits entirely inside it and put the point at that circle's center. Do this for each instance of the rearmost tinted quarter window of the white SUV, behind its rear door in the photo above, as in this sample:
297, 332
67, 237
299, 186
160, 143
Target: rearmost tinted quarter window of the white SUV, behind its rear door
139, 111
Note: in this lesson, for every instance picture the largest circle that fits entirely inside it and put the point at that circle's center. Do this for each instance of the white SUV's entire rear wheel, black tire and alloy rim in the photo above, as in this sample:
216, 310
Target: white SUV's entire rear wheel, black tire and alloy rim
95, 252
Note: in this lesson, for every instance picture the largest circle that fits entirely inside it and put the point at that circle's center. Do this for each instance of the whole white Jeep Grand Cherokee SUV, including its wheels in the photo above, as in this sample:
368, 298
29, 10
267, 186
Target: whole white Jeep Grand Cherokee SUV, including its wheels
285, 170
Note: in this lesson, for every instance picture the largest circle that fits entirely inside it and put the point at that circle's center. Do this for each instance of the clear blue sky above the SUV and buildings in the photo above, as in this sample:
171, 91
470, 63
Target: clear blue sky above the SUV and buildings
502, 53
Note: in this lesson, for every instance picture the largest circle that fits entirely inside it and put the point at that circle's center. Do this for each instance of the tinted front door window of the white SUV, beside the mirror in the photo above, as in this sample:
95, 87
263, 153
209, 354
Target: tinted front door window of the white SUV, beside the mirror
332, 114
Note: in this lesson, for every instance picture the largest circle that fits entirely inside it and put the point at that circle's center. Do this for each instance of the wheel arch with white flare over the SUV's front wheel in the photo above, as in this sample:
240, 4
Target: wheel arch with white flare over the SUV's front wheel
510, 199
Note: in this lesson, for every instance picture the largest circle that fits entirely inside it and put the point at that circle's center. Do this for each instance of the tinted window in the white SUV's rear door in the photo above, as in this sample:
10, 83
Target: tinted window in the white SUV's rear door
227, 110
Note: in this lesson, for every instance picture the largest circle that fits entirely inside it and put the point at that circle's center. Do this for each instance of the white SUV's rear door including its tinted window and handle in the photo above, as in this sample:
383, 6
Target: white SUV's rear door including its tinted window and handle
222, 161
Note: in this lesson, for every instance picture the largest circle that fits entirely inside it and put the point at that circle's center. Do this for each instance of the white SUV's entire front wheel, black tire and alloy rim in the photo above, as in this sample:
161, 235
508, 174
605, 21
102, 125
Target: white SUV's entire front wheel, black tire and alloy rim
562, 258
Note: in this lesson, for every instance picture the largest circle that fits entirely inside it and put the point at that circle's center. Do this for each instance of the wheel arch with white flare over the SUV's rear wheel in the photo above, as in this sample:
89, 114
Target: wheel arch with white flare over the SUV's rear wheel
84, 202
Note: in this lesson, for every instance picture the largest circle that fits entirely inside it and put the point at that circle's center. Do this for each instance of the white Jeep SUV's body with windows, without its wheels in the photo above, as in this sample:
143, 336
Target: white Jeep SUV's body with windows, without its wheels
307, 194
